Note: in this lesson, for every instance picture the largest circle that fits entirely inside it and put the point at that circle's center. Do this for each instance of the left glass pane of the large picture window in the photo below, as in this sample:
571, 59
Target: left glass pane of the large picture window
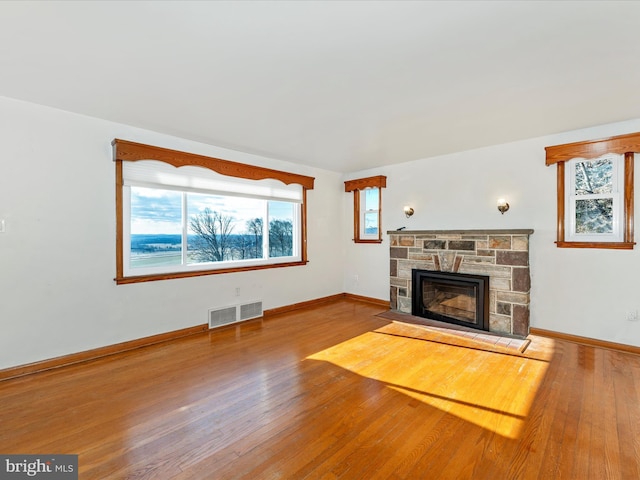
156, 226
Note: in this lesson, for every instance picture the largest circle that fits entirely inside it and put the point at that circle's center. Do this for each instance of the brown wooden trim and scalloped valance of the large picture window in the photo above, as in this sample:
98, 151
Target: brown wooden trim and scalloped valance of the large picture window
124, 150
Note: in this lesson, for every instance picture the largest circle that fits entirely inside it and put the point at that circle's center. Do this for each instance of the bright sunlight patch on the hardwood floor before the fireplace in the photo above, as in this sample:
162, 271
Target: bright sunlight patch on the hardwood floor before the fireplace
491, 390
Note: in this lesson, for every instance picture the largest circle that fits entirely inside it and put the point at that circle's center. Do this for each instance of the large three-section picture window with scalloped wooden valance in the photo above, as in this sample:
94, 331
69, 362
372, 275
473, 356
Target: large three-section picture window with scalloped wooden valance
183, 218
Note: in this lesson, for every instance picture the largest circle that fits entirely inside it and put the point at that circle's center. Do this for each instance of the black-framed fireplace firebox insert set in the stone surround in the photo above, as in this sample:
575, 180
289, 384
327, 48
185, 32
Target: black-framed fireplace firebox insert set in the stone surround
457, 298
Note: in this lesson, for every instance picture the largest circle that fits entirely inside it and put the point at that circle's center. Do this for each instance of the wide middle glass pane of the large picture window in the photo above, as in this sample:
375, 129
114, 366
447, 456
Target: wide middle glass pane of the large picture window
224, 228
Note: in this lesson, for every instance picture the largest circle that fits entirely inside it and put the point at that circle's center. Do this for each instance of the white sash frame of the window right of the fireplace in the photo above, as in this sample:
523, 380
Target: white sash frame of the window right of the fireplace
617, 196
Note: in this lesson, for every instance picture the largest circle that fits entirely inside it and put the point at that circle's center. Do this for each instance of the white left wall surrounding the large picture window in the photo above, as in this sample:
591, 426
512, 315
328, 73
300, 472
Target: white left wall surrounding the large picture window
57, 255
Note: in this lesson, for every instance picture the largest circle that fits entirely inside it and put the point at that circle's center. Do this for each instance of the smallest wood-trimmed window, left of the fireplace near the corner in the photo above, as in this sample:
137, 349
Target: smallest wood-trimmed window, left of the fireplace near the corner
367, 208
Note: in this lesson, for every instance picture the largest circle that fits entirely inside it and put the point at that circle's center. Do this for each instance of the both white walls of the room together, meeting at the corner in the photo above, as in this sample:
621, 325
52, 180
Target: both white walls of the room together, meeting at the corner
57, 256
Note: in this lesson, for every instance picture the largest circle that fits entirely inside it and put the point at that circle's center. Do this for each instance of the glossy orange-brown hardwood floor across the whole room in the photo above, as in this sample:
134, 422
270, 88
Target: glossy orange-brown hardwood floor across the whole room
320, 394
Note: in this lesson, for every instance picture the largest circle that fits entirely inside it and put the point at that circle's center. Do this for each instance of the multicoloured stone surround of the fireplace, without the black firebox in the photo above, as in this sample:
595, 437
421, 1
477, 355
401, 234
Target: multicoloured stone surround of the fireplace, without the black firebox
503, 255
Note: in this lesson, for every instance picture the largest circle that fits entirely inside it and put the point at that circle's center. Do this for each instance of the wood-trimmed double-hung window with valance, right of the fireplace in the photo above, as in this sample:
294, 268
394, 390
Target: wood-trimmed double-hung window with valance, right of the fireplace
595, 192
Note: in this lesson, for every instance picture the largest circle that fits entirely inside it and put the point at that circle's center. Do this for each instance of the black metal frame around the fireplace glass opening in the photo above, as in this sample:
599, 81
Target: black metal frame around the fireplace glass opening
480, 283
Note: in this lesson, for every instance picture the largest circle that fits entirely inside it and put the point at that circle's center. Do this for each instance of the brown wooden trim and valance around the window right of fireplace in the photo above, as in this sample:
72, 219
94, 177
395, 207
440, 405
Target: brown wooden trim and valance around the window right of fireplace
592, 149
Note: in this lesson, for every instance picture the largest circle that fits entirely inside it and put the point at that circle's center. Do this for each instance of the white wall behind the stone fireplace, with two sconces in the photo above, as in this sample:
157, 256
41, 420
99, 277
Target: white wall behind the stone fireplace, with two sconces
586, 292
